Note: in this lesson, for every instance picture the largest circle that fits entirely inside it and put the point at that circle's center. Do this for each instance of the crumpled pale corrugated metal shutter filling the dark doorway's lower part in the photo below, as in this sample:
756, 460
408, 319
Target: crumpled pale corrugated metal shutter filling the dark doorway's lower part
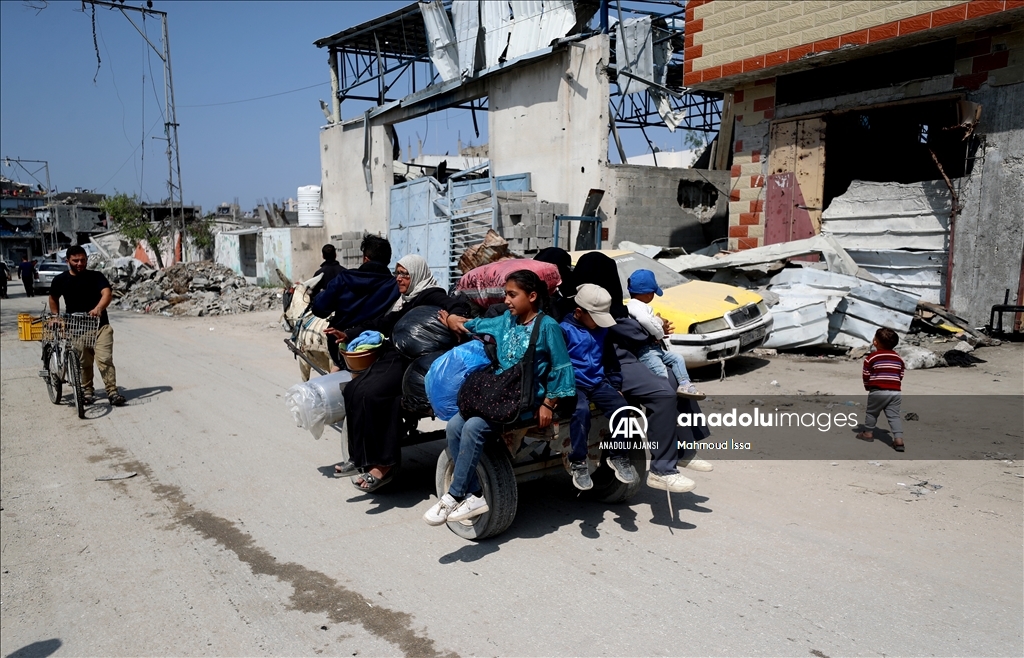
900, 233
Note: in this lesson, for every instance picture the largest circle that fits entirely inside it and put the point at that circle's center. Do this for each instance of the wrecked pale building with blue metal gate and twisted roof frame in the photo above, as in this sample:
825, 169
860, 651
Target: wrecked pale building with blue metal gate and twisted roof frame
557, 87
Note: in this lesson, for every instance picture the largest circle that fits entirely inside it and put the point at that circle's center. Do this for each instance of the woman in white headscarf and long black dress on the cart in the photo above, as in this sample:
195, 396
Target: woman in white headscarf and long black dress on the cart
373, 401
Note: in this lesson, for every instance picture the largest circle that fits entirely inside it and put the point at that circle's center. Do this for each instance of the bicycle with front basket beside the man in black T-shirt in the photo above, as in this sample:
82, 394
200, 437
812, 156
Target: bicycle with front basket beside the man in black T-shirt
65, 337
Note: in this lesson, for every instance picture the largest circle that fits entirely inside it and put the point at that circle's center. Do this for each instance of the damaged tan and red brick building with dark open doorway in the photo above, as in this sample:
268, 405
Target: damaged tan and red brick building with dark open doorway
895, 127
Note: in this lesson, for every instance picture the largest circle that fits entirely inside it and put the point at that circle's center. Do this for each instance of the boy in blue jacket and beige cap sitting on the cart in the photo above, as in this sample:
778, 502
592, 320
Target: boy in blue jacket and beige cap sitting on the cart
585, 333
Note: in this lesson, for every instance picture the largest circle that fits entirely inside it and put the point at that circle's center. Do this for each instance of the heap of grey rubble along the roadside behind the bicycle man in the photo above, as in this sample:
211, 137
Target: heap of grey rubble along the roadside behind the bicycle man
186, 289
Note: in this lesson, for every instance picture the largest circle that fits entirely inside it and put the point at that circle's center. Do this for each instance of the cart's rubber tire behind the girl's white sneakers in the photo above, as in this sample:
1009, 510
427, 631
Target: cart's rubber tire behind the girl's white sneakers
500, 491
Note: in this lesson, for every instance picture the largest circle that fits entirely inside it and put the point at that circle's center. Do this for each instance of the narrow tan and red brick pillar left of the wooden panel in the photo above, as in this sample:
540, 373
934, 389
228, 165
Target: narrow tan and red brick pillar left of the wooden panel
755, 107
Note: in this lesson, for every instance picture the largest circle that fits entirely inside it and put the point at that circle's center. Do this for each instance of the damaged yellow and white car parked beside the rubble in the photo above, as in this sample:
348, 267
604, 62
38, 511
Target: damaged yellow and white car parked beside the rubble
712, 322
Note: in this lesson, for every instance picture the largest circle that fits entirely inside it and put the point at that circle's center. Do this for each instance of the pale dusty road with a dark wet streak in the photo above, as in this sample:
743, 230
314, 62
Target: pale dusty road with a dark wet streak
232, 540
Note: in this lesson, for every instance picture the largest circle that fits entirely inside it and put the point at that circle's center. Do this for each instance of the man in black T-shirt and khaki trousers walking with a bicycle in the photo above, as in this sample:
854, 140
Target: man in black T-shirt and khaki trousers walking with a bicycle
88, 291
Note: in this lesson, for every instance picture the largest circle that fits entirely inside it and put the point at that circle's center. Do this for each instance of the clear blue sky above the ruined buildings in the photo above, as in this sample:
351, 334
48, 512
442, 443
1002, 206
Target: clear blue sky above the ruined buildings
93, 133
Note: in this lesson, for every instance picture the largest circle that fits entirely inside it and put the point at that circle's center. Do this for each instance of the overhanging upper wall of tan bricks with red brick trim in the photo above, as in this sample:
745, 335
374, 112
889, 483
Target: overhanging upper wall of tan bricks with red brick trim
727, 38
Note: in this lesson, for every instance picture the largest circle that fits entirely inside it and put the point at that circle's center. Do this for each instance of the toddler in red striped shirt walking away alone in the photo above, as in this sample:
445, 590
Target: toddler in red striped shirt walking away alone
883, 380
